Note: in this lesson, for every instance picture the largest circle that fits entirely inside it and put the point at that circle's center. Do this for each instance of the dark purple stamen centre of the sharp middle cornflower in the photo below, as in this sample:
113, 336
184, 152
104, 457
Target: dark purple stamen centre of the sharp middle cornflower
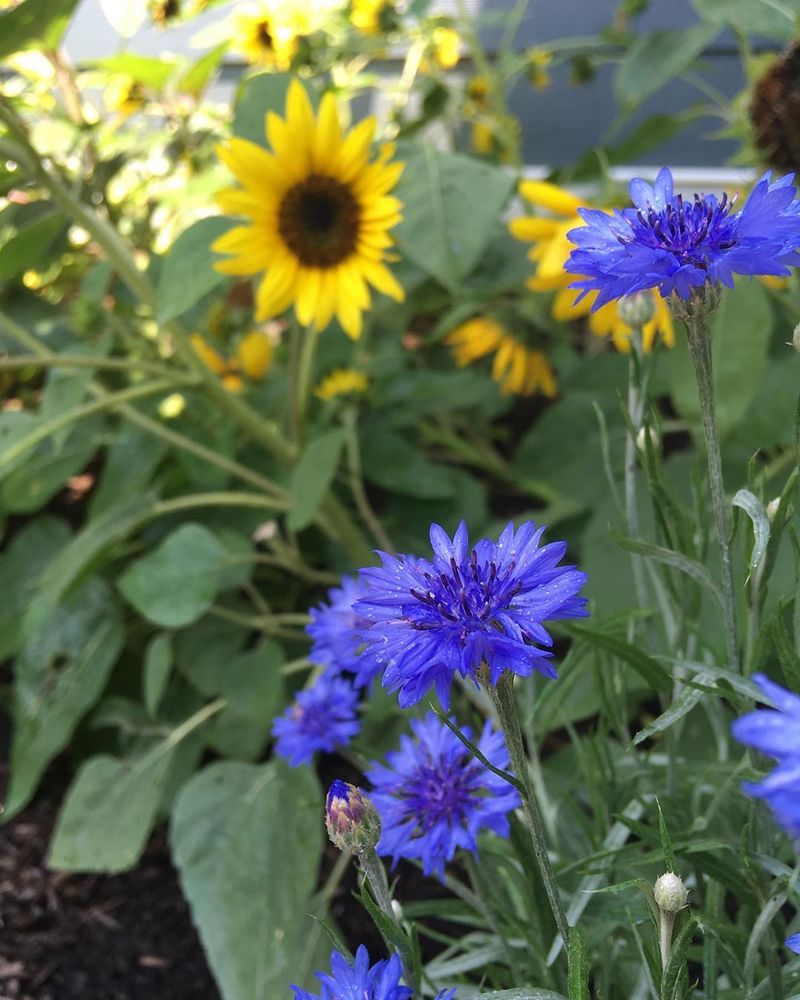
469, 596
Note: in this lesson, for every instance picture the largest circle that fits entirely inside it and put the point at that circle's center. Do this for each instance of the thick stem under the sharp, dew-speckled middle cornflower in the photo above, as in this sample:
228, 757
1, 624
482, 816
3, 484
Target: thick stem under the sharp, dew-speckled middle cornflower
502, 695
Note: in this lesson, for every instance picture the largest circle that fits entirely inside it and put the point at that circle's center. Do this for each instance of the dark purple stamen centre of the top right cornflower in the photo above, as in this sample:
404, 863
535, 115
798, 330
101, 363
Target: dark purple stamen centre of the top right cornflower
692, 231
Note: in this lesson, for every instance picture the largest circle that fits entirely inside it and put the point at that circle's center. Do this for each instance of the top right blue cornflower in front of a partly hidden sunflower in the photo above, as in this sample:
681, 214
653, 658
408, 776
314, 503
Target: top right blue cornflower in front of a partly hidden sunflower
676, 245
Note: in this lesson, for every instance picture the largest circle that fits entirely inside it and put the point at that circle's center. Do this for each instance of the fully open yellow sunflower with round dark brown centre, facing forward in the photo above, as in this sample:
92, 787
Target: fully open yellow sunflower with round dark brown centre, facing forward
319, 214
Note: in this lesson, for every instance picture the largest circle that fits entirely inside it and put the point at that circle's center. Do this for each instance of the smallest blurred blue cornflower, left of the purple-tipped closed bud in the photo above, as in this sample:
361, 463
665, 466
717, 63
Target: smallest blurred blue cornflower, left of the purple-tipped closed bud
322, 718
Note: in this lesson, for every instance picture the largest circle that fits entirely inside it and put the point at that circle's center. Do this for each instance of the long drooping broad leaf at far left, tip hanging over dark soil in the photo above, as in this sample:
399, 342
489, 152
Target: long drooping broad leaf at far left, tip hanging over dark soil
60, 673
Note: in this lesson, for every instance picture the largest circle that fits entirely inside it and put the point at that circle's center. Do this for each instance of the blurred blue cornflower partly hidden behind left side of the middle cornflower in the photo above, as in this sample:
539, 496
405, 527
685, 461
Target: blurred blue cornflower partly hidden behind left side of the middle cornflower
334, 630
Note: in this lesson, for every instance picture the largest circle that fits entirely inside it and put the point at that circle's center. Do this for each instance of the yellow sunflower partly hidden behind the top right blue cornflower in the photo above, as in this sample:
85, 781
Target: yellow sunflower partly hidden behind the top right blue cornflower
550, 252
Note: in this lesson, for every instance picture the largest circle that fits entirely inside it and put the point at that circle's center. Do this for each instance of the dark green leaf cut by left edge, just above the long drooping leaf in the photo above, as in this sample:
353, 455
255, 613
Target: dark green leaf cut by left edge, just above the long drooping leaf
21, 565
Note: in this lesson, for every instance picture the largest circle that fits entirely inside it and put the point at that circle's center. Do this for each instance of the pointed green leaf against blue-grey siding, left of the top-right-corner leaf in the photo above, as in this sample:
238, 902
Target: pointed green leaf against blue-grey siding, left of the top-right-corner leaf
655, 58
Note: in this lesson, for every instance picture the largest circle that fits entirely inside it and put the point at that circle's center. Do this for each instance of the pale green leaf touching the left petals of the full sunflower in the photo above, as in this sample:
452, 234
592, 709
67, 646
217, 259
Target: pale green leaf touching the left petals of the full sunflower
188, 271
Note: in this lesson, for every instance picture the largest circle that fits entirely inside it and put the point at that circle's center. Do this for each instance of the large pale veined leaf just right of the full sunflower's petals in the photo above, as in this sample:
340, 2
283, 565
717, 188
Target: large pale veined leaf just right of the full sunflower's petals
437, 233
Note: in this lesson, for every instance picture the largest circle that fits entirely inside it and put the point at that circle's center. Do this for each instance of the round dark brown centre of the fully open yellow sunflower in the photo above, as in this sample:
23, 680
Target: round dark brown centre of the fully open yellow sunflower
319, 221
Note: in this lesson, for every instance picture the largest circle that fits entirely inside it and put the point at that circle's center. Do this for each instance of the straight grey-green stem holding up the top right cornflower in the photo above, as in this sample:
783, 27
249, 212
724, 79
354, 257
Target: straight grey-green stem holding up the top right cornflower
700, 352
